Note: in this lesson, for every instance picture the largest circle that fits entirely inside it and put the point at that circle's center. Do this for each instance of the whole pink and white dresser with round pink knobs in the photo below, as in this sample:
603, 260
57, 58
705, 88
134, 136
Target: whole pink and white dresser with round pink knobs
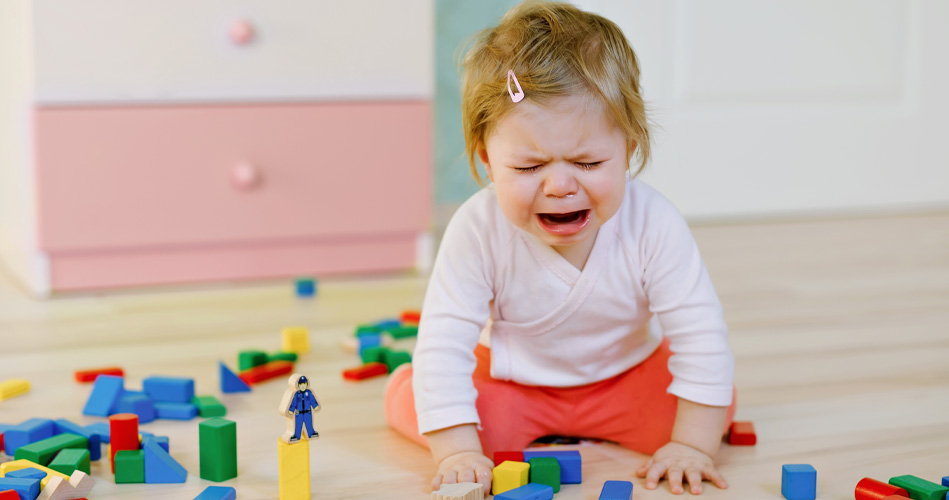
180, 141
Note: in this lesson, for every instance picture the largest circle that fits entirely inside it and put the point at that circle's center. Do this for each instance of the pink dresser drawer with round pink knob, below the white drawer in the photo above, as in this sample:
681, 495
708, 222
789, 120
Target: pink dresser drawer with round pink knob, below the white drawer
167, 176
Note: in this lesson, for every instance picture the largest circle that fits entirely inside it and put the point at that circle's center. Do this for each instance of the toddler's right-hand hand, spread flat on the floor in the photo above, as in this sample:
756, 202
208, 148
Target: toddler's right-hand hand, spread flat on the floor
675, 461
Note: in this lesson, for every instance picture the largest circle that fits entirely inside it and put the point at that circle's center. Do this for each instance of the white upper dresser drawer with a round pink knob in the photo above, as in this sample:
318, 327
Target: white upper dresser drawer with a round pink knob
180, 51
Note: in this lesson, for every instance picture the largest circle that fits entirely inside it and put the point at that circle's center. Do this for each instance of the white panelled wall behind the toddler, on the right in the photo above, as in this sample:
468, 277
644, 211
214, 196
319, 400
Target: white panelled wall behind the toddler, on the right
794, 107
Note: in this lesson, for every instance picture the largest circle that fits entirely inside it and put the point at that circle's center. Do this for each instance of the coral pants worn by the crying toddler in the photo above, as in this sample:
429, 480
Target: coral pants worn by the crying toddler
632, 408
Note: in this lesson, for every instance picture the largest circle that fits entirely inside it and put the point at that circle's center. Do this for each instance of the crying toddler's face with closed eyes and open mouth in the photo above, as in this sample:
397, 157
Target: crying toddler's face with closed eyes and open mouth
559, 170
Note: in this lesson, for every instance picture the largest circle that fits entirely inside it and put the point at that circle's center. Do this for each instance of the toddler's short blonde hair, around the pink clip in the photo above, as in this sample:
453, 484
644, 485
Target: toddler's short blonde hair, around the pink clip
555, 50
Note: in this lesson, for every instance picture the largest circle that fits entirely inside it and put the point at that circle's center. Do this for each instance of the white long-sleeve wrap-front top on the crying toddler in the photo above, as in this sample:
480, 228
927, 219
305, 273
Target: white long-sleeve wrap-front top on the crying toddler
554, 325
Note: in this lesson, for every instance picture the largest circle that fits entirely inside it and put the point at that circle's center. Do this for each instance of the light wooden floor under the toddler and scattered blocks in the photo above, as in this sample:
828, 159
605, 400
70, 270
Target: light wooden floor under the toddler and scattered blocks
840, 330
